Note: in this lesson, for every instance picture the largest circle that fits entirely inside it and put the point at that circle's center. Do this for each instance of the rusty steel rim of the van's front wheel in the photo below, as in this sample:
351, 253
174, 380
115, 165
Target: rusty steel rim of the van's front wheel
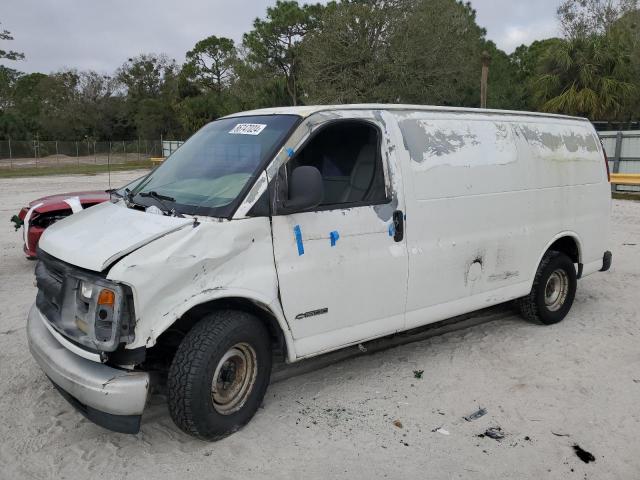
233, 378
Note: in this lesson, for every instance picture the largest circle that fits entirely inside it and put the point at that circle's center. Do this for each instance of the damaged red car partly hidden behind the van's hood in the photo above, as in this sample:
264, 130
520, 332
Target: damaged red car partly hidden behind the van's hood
46, 211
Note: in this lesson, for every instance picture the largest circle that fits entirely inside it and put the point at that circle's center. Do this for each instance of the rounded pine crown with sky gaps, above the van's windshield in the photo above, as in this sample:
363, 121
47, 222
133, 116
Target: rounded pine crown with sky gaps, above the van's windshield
211, 62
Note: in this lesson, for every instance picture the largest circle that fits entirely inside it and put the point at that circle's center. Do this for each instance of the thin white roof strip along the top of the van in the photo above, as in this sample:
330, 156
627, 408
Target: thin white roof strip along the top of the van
308, 110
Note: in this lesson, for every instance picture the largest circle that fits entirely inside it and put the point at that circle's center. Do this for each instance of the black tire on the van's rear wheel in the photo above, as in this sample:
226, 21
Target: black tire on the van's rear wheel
534, 307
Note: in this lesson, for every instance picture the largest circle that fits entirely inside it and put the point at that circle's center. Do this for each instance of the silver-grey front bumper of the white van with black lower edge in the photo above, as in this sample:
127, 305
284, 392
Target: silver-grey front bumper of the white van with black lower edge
110, 397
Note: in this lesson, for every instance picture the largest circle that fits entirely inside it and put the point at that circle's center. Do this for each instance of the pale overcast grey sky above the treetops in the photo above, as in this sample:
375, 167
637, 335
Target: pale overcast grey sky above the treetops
102, 34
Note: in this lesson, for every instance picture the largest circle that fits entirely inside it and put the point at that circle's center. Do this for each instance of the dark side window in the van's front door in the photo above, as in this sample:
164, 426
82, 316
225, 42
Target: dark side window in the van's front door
347, 154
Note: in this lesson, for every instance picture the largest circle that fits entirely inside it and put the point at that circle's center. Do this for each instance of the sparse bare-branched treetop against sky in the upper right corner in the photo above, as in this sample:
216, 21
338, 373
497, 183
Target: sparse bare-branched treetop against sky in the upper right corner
580, 18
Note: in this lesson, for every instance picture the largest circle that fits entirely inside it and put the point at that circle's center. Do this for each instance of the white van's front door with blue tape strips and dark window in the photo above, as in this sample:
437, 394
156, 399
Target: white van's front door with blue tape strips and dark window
342, 268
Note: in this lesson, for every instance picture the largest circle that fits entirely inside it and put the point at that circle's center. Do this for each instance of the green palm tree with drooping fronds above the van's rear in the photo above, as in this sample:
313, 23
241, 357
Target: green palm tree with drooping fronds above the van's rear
589, 77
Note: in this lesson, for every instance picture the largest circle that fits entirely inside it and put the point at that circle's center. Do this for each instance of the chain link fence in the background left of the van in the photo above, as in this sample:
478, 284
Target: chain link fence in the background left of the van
42, 154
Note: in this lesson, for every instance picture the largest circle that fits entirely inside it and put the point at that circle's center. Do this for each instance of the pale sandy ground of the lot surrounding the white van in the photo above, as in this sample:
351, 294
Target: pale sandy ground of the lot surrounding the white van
579, 379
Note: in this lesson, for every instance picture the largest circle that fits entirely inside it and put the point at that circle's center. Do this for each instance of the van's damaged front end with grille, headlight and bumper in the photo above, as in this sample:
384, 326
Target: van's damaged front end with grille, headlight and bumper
77, 331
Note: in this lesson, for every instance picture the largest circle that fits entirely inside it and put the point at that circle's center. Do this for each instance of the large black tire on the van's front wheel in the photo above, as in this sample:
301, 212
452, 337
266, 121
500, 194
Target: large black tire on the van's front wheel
190, 380
